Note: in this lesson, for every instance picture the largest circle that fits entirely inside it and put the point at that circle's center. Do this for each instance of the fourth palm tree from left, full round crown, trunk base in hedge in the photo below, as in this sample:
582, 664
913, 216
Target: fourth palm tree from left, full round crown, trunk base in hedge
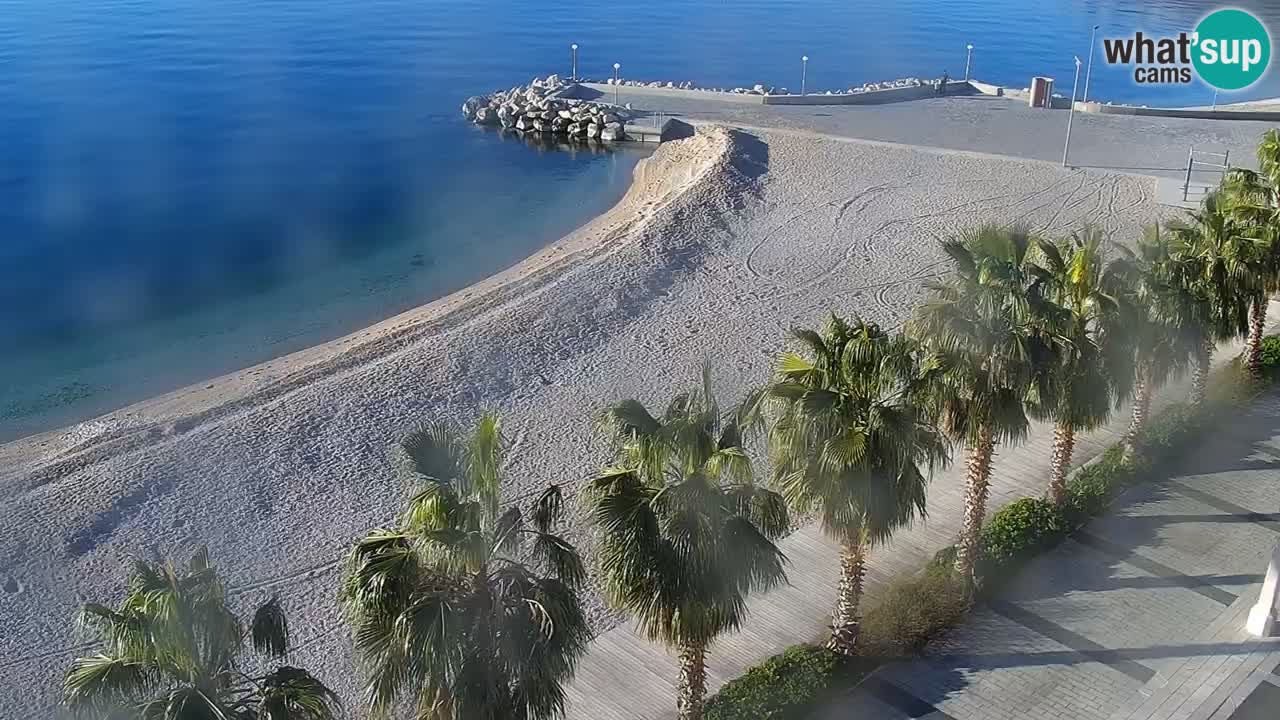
853, 444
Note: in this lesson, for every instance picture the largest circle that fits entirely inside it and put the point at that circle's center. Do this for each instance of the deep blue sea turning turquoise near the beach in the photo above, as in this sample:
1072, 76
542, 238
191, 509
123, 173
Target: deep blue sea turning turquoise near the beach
190, 188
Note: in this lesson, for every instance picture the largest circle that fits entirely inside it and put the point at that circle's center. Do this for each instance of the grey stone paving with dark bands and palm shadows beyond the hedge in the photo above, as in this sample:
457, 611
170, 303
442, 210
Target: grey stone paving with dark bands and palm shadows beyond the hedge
1139, 617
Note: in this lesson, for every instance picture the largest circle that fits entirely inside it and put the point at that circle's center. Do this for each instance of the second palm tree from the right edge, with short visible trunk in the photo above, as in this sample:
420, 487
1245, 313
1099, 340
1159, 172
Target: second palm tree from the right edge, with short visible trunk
1215, 261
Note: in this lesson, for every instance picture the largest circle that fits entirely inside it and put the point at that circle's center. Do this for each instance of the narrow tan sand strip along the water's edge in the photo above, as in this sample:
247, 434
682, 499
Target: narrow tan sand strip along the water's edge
48, 454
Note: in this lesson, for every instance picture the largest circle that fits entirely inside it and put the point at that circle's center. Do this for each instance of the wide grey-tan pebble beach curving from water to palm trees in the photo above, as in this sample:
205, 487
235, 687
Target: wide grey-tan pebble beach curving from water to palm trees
725, 241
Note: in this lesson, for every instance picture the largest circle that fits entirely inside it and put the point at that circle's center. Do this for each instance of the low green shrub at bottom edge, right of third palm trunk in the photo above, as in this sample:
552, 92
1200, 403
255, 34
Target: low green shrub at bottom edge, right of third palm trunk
783, 687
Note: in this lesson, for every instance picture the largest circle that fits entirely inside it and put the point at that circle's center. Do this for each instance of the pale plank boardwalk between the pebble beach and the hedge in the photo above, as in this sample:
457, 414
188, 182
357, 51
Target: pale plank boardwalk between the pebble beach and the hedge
624, 677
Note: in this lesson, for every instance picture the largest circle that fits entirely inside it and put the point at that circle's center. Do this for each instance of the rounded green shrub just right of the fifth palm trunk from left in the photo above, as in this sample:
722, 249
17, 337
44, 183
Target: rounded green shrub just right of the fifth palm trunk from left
1017, 532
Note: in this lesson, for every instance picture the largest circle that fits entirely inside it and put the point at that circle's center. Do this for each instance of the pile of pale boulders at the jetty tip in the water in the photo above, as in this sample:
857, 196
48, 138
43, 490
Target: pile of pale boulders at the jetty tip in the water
542, 108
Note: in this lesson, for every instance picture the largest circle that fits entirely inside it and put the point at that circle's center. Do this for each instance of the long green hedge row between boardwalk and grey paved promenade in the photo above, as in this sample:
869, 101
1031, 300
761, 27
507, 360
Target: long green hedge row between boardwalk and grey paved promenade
916, 610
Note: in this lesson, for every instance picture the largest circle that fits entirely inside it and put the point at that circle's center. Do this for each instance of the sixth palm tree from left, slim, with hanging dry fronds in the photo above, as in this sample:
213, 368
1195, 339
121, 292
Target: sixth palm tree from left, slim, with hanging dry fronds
1095, 366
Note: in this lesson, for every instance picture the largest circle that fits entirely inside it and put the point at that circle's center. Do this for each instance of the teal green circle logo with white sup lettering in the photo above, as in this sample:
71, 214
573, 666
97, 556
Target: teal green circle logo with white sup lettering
1232, 49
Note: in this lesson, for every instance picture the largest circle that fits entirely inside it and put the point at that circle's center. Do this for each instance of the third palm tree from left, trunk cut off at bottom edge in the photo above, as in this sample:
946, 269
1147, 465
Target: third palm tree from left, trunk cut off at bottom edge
685, 536
